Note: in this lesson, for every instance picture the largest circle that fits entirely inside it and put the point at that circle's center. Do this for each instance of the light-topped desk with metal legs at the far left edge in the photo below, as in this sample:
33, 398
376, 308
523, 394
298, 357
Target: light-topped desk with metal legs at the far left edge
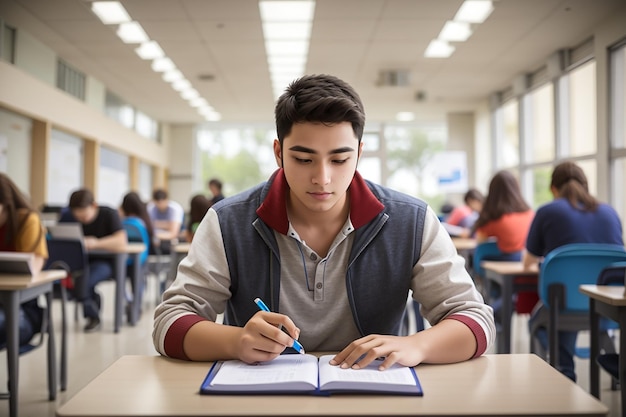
14, 290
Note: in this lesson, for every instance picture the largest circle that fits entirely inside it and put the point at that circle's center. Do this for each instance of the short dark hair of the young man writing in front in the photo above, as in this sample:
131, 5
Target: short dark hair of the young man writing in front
319, 98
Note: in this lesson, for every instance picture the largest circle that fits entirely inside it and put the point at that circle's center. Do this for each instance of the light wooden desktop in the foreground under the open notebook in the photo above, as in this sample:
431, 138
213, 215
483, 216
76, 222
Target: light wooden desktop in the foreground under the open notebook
521, 385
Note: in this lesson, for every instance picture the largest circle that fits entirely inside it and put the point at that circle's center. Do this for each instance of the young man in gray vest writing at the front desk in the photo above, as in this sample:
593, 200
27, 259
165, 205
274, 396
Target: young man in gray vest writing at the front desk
334, 257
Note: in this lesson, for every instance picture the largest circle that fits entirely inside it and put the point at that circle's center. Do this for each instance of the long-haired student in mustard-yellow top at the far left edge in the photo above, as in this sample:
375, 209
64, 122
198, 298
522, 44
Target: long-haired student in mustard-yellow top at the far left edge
21, 231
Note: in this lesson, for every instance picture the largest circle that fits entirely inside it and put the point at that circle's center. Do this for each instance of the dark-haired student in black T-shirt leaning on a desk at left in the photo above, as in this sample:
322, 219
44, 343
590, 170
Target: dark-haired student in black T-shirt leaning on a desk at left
103, 230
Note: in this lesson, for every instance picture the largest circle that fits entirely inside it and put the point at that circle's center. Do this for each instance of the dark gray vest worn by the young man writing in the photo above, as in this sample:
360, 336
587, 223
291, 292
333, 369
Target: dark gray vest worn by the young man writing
378, 276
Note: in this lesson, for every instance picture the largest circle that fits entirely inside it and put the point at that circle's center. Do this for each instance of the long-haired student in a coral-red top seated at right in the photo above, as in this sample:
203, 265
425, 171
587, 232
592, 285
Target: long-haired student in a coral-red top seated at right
505, 217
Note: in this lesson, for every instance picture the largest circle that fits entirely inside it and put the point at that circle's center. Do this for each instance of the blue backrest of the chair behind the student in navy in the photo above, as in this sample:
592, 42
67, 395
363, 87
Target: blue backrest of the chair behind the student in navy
569, 266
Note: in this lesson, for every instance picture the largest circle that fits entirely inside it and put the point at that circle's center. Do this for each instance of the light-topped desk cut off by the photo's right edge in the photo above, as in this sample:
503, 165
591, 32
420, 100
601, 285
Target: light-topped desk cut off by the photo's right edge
608, 301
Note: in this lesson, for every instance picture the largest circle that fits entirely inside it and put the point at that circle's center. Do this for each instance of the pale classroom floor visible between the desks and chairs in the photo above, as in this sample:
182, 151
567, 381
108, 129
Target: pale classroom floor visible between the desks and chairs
90, 354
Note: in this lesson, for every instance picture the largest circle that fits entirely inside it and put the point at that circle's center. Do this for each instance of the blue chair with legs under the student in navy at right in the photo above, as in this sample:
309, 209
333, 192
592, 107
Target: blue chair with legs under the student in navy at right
562, 272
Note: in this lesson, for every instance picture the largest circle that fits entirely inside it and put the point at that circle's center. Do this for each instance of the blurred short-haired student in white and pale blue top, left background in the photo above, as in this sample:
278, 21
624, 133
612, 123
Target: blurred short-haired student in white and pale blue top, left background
167, 218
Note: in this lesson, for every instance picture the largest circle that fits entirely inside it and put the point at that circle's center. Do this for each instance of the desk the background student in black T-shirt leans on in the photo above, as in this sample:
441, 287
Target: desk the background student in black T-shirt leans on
118, 257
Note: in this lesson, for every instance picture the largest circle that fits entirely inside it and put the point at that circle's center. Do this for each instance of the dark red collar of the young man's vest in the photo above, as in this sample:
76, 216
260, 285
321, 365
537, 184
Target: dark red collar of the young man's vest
273, 211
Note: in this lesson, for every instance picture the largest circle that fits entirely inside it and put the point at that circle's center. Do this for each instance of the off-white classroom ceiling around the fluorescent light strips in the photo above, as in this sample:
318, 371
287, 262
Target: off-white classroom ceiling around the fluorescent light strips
353, 39
